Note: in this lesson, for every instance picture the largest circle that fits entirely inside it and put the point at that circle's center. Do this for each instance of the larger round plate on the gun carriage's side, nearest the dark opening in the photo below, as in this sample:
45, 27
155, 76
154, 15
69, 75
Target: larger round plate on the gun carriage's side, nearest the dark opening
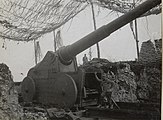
64, 91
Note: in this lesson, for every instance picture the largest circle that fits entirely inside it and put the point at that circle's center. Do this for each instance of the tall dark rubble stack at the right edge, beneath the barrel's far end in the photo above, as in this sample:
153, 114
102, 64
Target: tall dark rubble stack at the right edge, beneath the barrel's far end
149, 82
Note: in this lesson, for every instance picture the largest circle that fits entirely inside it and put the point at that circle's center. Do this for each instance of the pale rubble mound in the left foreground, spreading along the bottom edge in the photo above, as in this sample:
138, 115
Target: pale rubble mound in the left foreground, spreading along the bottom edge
9, 106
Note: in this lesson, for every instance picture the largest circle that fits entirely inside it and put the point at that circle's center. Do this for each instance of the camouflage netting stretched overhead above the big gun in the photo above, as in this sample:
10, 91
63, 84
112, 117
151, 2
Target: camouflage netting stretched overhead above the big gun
26, 20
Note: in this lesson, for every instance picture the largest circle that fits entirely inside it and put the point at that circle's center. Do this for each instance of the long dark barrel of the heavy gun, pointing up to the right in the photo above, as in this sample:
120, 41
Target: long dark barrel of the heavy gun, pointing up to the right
68, 52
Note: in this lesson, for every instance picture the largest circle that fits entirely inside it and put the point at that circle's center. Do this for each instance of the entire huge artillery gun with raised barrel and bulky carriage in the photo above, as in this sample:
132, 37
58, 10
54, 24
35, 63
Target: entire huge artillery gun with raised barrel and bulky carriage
57, 80
